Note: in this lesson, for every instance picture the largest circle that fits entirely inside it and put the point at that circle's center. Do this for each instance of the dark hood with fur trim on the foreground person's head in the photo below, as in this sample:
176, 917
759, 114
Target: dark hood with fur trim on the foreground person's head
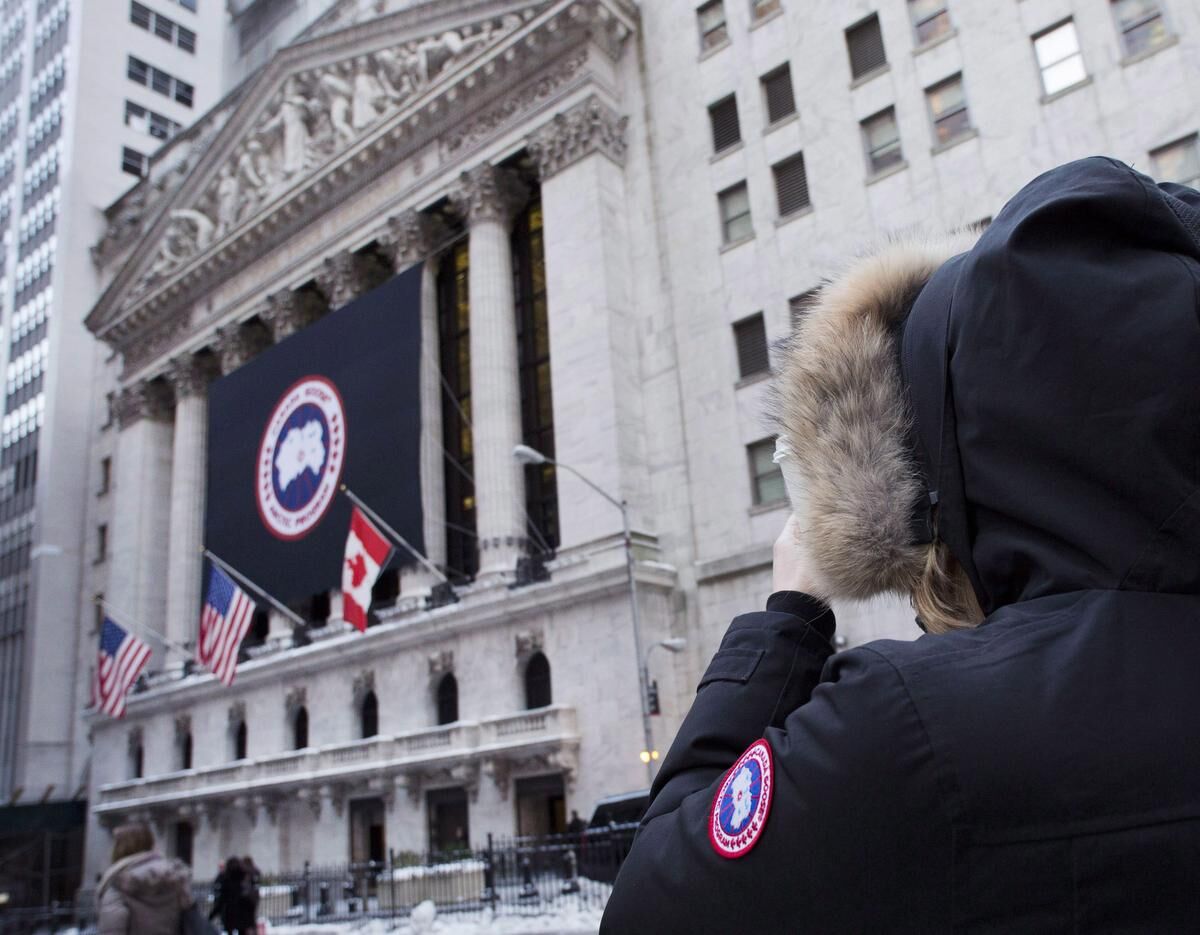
1039, 386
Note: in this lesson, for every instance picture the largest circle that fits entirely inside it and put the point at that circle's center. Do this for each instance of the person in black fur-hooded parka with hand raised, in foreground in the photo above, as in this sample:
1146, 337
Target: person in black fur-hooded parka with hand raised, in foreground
1009, 431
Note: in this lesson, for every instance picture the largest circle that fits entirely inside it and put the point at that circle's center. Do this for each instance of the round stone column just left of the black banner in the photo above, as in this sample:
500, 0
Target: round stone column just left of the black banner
189, 377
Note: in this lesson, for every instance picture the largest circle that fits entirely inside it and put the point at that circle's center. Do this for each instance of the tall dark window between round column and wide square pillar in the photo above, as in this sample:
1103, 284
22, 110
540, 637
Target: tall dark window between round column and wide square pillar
535, 368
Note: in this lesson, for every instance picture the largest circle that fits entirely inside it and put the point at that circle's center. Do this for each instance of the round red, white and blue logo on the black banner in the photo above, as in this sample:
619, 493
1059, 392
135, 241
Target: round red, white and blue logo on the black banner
301, 458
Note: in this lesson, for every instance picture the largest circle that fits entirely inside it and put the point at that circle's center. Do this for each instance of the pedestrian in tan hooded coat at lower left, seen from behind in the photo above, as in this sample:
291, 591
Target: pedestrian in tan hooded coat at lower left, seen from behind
142, 892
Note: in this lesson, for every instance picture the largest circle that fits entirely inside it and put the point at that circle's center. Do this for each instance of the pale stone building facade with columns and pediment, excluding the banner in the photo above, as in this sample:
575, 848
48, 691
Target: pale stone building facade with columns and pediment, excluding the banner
675, 181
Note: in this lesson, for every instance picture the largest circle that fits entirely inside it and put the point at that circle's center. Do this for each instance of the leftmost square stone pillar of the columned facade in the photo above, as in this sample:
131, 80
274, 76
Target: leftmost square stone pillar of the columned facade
137, 583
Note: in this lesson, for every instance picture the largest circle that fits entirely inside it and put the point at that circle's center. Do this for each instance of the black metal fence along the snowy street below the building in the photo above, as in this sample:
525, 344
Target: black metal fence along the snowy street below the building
526, 877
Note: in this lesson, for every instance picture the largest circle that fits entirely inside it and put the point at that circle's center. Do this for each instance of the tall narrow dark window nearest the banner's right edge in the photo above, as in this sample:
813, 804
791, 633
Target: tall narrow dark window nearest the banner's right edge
454, 349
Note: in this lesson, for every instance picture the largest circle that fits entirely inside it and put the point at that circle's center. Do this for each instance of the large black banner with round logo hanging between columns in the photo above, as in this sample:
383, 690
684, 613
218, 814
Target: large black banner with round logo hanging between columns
339, 403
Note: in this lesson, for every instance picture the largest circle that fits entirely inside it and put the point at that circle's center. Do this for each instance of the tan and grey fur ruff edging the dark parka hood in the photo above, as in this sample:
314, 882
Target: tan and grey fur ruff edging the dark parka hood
841, 403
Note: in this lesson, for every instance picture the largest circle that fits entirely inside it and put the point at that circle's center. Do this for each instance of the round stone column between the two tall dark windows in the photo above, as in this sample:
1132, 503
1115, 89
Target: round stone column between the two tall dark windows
489, 197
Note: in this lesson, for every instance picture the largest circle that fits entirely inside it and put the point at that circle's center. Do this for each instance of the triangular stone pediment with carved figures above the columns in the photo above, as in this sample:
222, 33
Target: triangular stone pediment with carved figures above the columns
329, 112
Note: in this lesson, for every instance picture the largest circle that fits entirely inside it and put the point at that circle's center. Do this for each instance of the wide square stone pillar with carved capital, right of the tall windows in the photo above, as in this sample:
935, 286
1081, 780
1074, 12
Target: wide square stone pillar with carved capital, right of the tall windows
593, 329
